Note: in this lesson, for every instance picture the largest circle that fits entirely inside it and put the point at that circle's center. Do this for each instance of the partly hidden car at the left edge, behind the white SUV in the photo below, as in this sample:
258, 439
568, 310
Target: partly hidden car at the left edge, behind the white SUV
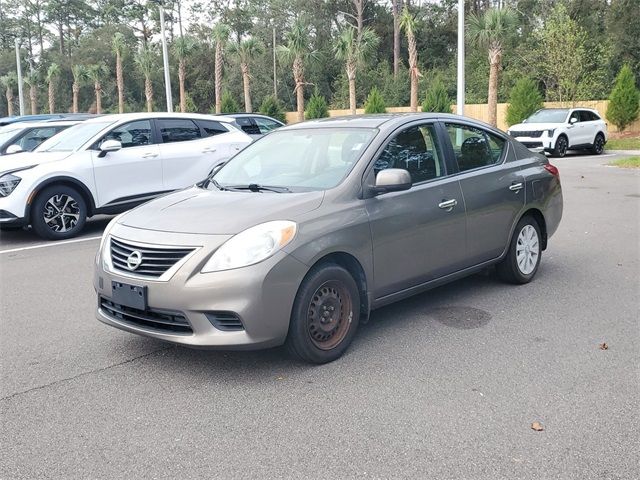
27, 136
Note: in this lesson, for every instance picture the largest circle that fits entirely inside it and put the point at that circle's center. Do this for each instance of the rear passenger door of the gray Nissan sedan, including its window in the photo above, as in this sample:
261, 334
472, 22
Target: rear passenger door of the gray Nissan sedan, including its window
492, 185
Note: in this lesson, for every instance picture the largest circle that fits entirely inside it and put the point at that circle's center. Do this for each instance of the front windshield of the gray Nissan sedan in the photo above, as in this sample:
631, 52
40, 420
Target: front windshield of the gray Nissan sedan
290, 160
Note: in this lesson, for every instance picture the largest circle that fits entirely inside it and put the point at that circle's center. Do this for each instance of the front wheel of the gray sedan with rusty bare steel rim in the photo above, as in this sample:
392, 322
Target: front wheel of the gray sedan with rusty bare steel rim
325, 315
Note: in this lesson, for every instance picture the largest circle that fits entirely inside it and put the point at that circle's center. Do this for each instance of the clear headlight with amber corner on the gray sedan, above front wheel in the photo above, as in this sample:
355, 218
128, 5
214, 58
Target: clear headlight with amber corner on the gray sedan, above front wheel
253, 245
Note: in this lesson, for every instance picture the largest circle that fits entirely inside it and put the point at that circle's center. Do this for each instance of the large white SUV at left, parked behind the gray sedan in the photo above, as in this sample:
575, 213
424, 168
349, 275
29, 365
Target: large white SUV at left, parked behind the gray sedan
110, 164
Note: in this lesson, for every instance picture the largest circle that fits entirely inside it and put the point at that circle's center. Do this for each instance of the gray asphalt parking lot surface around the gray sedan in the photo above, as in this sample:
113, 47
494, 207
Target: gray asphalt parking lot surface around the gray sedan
443, 385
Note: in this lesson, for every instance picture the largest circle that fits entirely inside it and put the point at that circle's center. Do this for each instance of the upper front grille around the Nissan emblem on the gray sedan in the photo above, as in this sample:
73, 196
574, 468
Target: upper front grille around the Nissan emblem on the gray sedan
154, 261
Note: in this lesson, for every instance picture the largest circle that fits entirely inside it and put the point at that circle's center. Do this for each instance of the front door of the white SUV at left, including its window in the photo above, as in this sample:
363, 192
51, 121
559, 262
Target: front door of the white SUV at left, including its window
132, 174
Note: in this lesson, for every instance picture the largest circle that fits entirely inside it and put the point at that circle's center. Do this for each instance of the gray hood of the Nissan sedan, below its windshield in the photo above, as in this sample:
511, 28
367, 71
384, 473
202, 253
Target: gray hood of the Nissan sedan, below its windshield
199, 211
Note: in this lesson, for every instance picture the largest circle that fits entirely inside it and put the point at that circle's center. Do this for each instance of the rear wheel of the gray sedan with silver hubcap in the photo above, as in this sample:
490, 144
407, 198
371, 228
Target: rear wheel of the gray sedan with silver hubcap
524, 254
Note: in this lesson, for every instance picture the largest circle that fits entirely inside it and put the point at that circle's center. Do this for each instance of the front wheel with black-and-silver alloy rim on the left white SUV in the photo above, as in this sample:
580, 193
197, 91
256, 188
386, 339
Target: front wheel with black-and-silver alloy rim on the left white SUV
58, 212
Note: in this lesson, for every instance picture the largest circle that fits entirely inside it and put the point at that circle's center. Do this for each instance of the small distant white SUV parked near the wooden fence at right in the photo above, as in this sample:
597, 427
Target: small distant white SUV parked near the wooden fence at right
556, 130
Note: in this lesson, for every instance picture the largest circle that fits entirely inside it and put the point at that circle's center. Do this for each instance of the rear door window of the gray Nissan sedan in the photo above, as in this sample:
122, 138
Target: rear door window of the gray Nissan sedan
474, 147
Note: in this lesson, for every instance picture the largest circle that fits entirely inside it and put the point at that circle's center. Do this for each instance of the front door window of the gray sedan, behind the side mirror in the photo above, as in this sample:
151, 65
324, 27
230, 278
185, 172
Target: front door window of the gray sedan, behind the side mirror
415, 150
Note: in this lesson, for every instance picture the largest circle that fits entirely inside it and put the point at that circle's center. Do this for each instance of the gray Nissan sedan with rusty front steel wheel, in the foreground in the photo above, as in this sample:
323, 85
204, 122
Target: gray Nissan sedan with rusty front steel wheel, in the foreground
299, 236
